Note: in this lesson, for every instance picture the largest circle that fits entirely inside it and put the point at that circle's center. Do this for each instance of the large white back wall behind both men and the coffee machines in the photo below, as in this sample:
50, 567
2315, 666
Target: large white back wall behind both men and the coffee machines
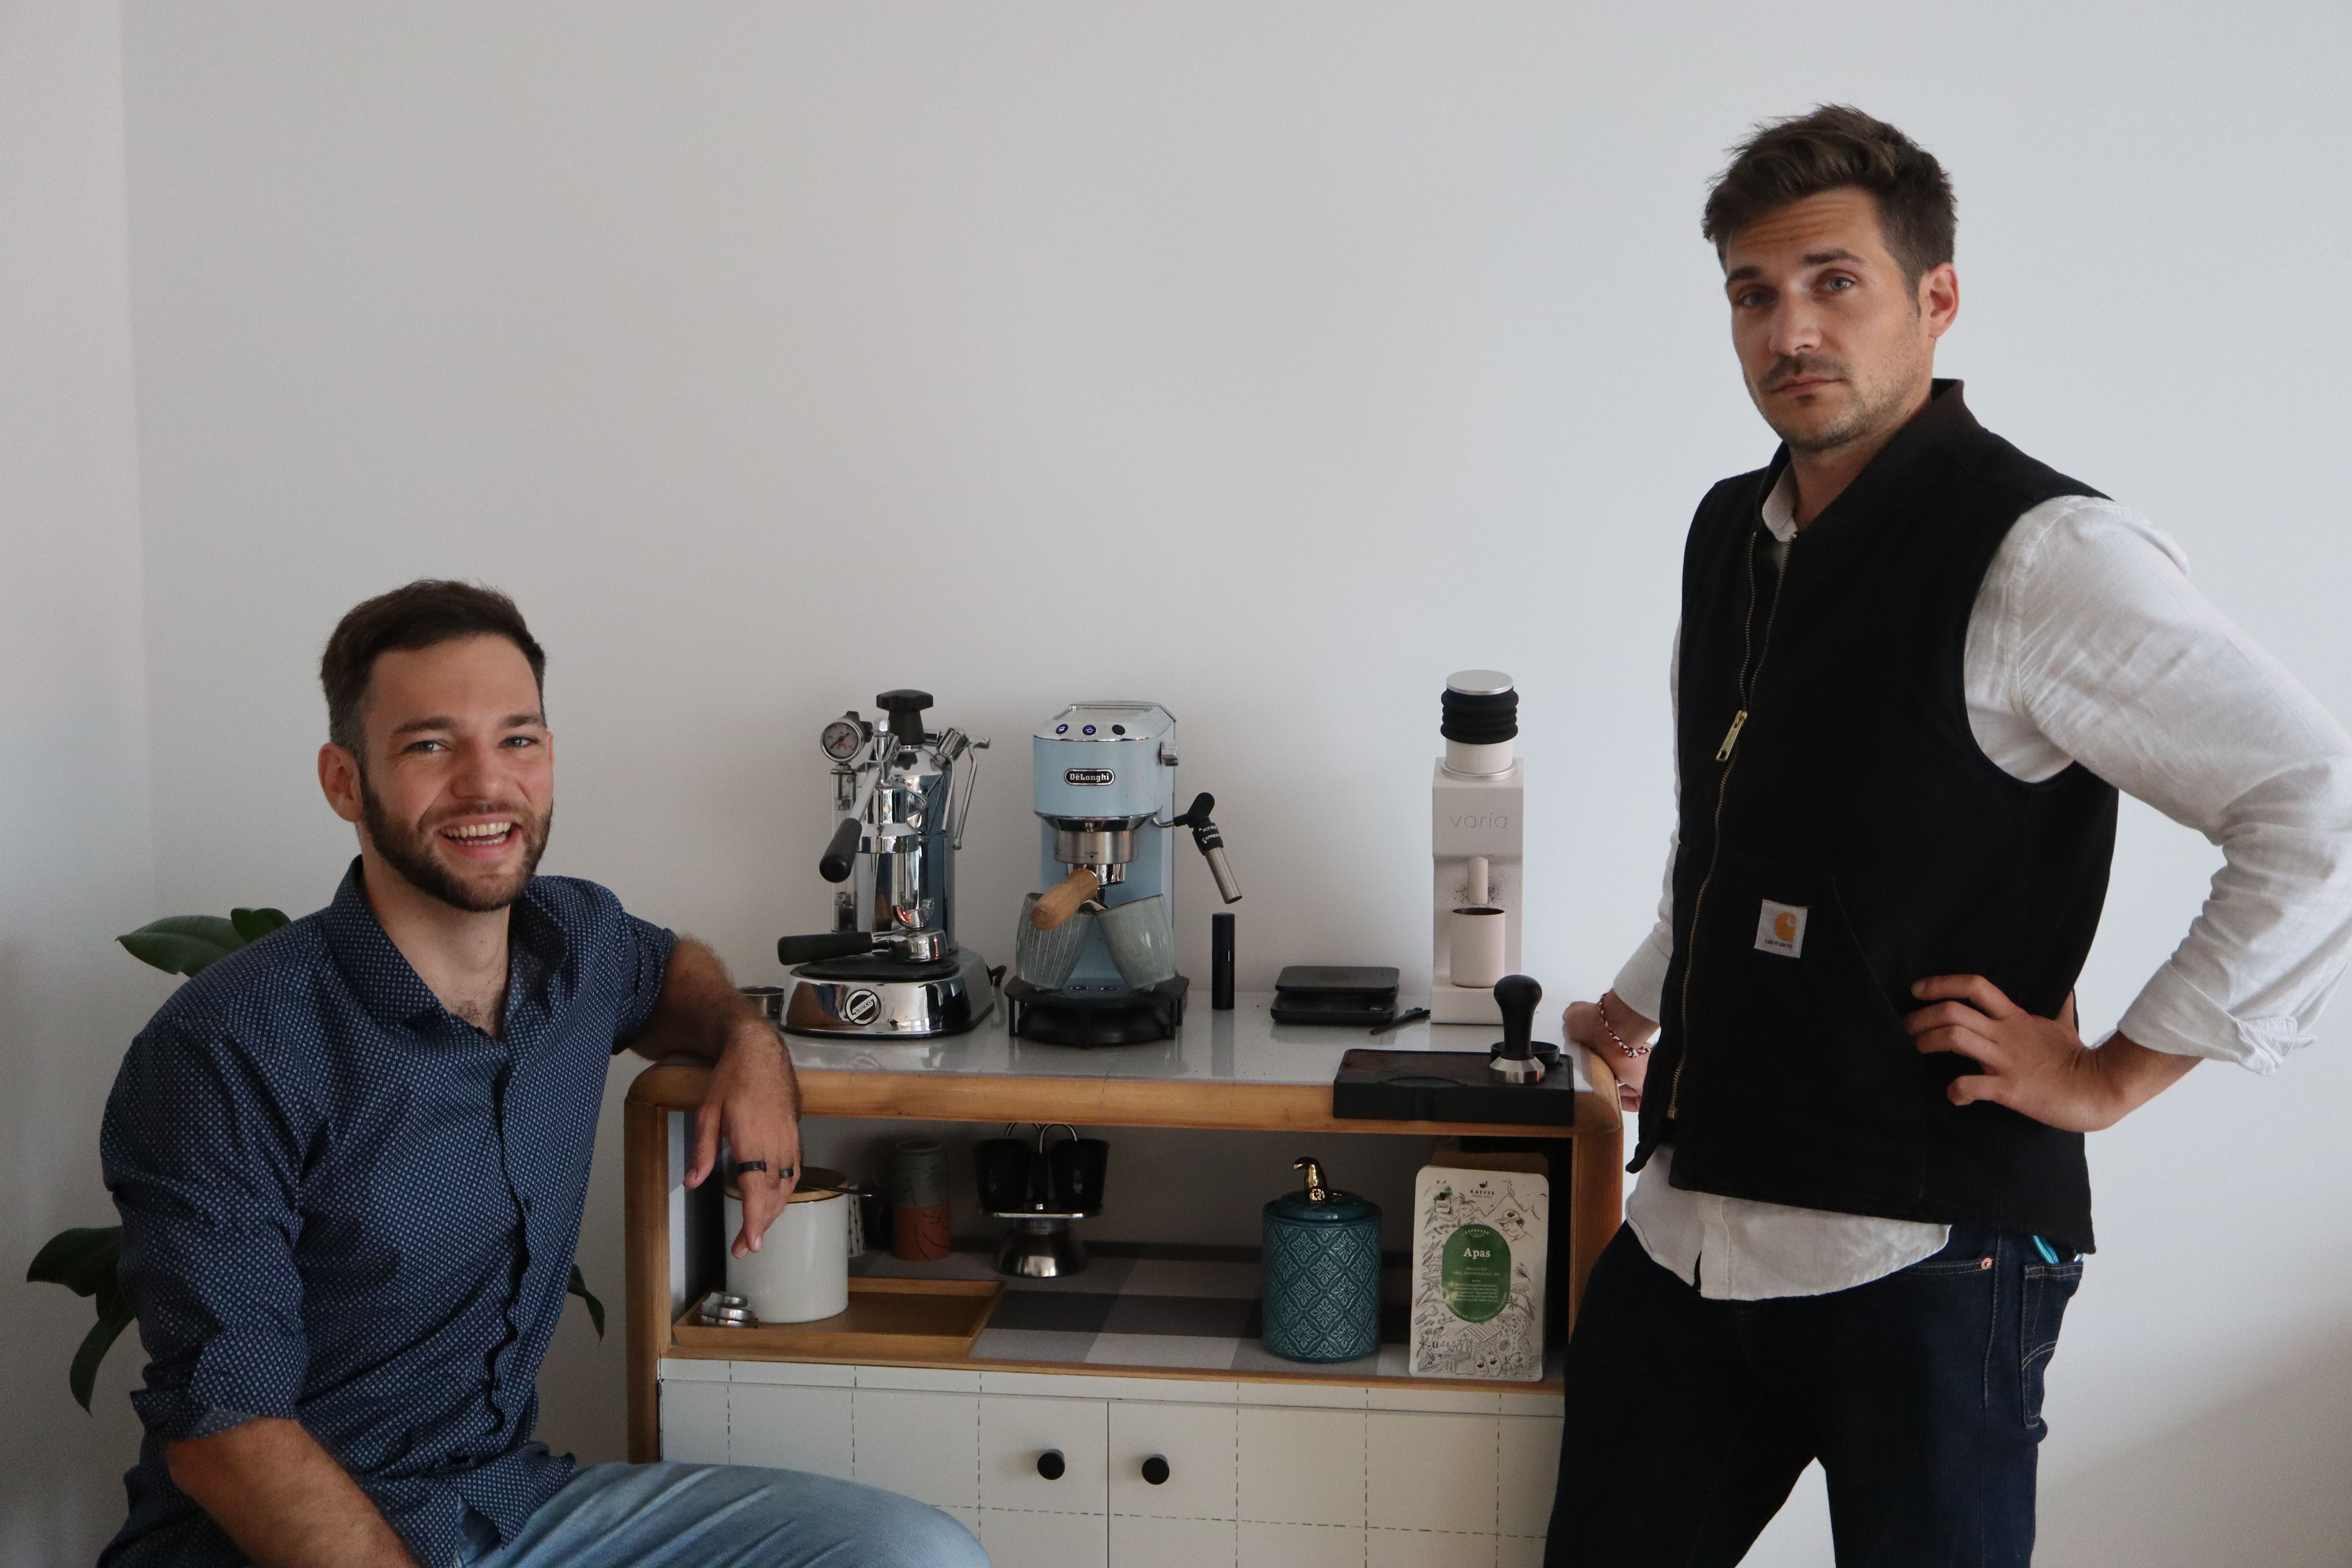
1262, 361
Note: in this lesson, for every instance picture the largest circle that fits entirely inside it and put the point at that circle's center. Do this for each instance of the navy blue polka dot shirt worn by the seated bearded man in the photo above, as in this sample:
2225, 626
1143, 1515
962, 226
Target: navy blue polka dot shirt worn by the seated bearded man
349, 1207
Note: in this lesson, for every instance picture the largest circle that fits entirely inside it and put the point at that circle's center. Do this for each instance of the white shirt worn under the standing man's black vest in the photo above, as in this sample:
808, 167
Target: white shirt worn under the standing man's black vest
2090, 645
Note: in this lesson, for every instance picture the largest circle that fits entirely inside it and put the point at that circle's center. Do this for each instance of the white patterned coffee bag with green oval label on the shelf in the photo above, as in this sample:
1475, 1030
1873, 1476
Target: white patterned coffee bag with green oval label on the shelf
1478, 1273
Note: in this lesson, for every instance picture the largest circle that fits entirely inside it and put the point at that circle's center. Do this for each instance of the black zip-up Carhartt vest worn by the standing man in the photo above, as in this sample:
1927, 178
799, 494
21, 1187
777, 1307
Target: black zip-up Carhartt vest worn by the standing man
1850, 840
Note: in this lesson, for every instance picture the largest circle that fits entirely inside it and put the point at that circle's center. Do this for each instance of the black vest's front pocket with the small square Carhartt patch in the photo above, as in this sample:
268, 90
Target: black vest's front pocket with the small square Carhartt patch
1800, 1068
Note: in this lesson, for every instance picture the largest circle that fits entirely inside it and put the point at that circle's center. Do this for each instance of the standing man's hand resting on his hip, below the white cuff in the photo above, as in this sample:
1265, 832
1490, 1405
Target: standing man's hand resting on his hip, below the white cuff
2036, 1066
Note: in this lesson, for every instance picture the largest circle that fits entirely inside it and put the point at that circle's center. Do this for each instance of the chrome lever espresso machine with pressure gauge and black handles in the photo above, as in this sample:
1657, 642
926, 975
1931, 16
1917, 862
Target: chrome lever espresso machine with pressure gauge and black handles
893, 967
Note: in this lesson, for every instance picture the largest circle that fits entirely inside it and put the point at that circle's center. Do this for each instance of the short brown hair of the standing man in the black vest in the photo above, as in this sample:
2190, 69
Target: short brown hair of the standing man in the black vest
1829, 149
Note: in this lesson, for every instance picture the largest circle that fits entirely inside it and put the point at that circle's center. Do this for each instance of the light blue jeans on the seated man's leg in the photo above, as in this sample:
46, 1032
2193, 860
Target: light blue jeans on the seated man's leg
726, 1517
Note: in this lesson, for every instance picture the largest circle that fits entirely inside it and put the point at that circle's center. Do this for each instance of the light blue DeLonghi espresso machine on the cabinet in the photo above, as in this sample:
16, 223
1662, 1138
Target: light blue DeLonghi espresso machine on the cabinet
1107, 817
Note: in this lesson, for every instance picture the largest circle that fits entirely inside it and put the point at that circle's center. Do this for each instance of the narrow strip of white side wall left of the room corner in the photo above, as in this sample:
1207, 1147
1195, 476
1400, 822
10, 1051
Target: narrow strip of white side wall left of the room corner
74, 765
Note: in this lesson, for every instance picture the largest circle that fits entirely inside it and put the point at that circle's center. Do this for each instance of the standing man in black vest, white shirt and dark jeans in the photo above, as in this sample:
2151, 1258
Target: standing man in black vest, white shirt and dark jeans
1913, 671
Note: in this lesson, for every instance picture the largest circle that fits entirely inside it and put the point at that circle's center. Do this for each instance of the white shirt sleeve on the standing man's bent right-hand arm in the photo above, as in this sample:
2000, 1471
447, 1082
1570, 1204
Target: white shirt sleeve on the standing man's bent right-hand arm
2137, 676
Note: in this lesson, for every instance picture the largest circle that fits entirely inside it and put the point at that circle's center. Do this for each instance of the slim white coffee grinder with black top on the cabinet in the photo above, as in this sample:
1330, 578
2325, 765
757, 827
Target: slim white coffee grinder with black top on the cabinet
1476, 847
